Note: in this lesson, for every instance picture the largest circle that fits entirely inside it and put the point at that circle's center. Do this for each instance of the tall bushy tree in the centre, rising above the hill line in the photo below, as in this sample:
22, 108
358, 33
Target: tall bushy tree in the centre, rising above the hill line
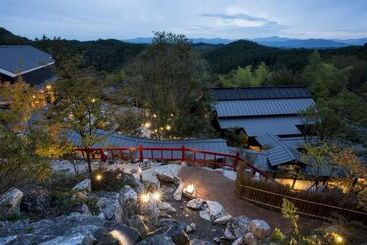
170, 80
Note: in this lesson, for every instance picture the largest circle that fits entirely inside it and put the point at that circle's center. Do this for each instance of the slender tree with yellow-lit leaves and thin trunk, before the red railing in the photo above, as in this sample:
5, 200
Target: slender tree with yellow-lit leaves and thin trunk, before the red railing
78, 105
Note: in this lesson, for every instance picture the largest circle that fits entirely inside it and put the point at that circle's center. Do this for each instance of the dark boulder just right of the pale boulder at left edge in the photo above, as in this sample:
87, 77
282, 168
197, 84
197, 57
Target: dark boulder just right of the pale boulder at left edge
35, 200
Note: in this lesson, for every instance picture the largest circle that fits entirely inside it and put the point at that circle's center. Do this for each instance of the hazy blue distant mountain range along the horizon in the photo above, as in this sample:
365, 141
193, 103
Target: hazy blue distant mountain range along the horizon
279, 42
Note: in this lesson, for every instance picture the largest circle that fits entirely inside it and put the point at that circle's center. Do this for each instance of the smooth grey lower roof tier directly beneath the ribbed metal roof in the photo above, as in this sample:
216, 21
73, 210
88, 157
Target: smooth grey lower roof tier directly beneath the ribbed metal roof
255, 126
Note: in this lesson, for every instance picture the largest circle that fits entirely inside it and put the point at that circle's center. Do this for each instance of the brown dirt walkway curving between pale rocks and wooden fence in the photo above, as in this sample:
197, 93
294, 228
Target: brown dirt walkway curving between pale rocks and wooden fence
212, 185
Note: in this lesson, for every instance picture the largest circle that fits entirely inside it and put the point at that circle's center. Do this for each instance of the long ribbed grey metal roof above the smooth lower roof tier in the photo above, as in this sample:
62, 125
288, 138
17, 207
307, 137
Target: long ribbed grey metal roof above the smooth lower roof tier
264, 107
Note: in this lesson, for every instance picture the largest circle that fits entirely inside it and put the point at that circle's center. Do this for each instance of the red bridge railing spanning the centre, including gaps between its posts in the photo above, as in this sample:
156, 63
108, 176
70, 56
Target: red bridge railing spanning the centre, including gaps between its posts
206, 158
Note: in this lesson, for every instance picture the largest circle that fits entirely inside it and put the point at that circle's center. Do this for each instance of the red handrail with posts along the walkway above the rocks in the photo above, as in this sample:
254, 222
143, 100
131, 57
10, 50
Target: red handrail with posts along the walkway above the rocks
183, 150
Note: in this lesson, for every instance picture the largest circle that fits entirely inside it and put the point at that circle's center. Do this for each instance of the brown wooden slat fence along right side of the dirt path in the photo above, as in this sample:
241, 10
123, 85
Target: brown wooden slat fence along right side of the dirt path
273, 201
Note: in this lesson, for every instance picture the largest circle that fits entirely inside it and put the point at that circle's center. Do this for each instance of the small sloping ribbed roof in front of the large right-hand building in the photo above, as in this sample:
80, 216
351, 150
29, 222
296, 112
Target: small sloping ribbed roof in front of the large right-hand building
278, 152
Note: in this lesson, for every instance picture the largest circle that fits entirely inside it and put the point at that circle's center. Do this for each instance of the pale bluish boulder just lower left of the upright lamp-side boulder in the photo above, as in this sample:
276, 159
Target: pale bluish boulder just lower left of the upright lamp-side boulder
111, 209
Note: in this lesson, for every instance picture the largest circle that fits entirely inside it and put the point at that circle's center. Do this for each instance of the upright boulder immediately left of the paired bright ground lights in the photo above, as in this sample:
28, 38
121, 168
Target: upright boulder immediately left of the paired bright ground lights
128, 200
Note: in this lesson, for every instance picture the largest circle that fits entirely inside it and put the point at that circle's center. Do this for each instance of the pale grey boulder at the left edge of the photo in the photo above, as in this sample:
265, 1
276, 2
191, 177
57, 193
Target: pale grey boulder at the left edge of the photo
10, 202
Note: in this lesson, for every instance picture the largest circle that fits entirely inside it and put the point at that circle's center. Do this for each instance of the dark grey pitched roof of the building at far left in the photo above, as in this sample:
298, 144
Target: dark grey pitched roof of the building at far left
21, 59
